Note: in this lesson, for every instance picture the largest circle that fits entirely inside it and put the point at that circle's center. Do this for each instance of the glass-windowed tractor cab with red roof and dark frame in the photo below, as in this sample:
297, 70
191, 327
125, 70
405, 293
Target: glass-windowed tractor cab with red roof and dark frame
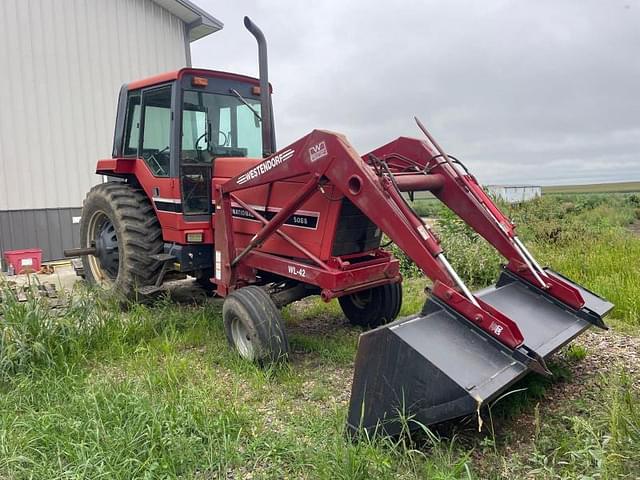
180, 122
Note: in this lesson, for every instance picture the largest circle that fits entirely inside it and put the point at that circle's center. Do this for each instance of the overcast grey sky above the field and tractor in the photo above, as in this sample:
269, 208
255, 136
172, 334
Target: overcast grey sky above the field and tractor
521, 91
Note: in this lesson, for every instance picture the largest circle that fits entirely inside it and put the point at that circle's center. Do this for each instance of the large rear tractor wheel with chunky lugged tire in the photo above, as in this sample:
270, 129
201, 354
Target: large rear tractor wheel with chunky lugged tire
123, 220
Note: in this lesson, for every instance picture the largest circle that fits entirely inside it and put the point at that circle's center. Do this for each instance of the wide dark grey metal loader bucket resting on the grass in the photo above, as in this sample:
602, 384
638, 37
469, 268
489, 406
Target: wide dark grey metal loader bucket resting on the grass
437, 366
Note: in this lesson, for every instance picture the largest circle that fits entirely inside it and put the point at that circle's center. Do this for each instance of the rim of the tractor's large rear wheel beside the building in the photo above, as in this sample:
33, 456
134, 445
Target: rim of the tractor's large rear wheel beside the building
102, 235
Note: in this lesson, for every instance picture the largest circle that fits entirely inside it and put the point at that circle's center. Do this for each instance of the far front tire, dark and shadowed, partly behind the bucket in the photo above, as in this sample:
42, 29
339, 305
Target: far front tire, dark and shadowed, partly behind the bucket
373, 307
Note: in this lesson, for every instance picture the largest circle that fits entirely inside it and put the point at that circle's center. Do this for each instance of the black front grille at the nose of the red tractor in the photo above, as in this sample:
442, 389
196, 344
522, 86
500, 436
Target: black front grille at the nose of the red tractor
355, 232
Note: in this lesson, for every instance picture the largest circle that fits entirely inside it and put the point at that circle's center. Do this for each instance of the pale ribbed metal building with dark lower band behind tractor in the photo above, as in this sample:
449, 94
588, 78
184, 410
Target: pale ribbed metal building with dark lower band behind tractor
63, 64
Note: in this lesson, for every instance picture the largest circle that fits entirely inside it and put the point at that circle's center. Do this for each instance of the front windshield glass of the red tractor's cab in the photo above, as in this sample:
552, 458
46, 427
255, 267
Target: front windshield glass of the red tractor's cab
216, 125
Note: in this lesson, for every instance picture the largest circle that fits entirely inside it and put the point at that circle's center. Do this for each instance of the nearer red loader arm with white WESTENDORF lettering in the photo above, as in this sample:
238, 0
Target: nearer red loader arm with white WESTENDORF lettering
325, 158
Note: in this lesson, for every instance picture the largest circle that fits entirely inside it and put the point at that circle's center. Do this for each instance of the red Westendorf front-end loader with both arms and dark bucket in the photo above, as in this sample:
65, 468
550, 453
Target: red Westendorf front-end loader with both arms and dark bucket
463, 349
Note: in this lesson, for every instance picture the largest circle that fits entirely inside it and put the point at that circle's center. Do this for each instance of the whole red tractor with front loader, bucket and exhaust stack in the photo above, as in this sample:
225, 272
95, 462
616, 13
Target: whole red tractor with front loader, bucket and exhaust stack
197, 186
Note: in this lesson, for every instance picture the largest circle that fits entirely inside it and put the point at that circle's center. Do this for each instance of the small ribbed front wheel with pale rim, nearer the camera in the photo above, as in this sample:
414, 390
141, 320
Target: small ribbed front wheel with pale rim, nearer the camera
254, 327
